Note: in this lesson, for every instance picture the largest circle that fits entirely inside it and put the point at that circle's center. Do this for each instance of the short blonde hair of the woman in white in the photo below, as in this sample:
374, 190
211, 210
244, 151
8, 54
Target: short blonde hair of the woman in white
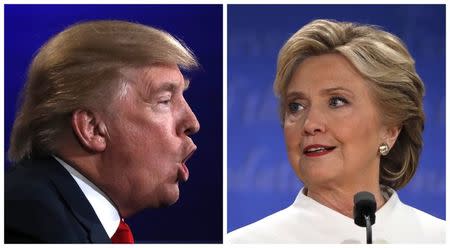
383, 59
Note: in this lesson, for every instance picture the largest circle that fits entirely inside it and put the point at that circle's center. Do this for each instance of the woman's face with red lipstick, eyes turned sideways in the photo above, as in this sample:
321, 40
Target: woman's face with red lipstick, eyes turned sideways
332, 126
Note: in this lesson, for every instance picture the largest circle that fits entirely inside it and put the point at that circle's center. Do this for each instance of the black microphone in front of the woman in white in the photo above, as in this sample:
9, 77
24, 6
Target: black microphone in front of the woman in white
364, 212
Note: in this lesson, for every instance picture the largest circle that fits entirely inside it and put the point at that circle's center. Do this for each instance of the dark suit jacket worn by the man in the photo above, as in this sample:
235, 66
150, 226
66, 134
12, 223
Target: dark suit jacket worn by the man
44, 204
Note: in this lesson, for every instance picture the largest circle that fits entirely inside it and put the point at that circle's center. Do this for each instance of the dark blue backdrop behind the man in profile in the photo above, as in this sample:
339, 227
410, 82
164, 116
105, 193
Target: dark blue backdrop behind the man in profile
197, 216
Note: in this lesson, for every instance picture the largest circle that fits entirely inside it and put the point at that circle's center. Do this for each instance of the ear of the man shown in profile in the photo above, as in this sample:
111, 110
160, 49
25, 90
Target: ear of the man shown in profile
90, 130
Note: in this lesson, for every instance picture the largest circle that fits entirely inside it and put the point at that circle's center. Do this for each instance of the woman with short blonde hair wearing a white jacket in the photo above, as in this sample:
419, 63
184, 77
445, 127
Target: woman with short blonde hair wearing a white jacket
352, 114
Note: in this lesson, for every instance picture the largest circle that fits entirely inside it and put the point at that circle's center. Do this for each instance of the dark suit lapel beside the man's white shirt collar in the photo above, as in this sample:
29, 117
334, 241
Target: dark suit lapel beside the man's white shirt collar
77, 202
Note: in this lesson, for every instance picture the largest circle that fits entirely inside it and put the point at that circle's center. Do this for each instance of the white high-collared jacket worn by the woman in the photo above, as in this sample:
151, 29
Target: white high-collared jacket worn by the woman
307, 221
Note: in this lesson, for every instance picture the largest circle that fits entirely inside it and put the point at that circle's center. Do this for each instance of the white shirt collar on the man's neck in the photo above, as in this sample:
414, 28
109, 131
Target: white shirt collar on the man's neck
102, 205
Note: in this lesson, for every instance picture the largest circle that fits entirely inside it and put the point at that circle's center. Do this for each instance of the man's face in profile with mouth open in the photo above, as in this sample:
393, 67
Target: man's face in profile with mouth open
148, 142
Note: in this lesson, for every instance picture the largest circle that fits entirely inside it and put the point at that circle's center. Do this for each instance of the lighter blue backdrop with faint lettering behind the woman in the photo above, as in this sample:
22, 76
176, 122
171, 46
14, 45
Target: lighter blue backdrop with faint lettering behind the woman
260, 180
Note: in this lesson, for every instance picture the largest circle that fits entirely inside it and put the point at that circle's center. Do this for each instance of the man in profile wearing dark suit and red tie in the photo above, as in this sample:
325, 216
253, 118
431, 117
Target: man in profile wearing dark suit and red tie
101, 134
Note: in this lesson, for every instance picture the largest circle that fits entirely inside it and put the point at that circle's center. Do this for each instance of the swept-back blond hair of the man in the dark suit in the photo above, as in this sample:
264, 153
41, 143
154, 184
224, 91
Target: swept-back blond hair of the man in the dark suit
81, 68
